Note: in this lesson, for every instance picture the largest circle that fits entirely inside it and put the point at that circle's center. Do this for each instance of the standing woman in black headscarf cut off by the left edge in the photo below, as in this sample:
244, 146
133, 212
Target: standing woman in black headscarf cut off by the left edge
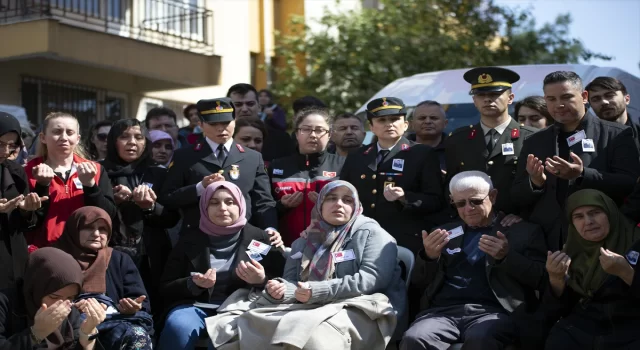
16, 204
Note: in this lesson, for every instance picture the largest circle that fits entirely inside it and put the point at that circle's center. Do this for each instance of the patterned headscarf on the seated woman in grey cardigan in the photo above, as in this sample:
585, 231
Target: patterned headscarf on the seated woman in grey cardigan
324, 239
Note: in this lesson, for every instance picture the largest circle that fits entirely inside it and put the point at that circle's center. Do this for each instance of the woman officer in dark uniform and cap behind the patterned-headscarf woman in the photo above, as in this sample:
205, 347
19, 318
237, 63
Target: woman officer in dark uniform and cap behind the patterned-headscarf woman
398, 181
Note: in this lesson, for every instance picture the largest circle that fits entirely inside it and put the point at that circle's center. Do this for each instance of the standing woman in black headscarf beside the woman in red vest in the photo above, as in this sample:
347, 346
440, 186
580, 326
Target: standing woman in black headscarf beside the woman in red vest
140, 228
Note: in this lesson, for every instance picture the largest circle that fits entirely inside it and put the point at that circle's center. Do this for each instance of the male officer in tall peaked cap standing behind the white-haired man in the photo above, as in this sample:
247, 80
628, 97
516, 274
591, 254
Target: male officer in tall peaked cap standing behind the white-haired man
493, 145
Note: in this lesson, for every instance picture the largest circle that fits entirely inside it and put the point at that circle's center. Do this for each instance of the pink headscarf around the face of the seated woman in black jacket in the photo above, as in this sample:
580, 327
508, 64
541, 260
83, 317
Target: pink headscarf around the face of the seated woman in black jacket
206, 225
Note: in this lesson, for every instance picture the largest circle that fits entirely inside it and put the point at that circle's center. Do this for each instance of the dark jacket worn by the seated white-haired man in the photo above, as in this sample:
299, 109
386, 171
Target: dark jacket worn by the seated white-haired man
513, 280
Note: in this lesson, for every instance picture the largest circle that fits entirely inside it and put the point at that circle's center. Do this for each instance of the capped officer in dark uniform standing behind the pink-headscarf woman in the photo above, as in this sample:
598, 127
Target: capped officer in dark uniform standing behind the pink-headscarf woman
215, 158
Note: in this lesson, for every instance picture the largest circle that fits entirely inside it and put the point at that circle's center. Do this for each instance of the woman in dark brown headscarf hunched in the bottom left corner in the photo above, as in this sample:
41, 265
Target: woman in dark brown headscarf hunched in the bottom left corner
40, 313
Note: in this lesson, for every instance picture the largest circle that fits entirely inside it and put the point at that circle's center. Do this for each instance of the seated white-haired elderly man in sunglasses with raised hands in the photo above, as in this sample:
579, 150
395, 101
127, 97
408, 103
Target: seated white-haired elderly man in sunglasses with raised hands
477, 272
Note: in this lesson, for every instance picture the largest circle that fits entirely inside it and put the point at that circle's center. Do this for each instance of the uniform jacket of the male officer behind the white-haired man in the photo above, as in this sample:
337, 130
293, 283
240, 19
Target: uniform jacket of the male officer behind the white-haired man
466, 149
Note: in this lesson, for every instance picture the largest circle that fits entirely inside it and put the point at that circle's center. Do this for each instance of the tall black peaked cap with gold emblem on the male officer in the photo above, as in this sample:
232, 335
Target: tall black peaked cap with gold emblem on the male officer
490, 79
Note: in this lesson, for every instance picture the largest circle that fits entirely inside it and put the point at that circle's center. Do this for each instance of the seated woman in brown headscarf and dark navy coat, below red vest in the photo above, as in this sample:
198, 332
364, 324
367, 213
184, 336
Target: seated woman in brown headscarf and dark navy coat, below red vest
111, 277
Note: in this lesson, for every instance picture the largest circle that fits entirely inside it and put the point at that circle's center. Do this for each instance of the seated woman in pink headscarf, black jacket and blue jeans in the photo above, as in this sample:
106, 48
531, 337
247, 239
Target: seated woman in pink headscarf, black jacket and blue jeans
211, 262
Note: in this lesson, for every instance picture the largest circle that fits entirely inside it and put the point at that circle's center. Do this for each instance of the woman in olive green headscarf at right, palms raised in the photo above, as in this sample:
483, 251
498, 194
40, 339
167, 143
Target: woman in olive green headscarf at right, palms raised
594, 285
